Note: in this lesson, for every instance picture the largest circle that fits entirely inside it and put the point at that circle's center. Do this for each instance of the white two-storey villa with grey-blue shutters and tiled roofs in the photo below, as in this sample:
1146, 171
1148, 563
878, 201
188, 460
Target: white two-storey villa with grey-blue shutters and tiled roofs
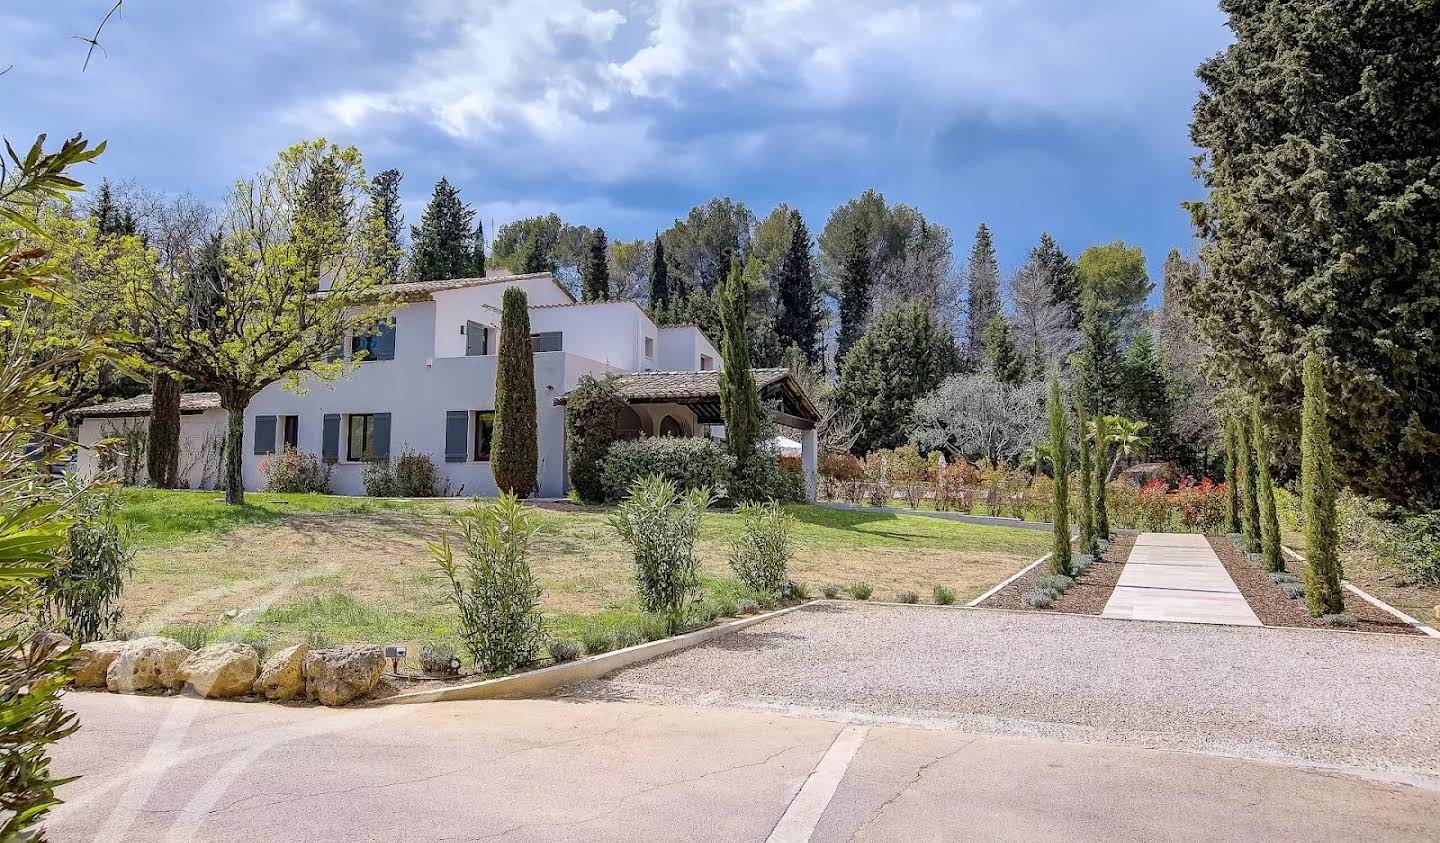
430, 383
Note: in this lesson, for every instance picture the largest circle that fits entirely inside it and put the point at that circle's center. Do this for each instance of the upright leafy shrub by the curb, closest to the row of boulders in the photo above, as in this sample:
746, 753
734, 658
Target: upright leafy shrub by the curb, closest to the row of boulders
495, 589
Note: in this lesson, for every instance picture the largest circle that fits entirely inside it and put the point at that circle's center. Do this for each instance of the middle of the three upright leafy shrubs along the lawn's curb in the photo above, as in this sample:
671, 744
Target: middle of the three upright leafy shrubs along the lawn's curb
662, 525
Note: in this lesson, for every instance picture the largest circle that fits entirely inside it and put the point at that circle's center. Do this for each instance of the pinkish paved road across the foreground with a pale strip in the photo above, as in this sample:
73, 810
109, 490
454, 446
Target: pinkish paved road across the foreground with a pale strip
176, 769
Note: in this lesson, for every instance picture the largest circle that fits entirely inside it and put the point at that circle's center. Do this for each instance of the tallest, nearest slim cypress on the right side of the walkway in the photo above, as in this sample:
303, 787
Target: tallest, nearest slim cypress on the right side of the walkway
1323, 570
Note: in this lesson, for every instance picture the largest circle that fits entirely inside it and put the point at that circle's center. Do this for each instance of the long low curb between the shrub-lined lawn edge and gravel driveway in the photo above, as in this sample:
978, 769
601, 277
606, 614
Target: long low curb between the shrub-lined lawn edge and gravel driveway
546, 679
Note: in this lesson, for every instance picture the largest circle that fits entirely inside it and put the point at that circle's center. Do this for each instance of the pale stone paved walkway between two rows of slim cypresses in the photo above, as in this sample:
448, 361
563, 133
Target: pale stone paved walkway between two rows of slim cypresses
1176, 577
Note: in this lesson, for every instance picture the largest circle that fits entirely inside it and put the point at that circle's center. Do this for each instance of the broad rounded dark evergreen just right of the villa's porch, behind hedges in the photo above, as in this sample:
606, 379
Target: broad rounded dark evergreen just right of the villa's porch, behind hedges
905, 355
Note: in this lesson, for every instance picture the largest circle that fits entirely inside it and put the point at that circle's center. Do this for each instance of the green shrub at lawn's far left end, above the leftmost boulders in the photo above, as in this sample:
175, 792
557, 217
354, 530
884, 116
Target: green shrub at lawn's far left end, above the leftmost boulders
83, 599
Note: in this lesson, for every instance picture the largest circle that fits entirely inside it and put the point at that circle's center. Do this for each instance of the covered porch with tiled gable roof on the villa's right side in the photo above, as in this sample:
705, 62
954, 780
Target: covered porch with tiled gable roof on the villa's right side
688, 404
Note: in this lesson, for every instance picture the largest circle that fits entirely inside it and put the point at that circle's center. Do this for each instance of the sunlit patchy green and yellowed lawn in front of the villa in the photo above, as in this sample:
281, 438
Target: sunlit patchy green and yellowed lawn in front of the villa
289, 567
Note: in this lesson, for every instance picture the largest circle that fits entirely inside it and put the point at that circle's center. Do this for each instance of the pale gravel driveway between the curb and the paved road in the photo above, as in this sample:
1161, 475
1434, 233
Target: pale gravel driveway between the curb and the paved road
1360, 702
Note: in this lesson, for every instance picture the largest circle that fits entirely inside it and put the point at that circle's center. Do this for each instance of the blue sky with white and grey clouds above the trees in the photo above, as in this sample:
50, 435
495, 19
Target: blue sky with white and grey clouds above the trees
1027, 115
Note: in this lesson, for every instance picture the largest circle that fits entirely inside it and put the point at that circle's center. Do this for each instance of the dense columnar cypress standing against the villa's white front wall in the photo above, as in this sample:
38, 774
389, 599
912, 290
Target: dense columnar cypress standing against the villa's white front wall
515, 456
